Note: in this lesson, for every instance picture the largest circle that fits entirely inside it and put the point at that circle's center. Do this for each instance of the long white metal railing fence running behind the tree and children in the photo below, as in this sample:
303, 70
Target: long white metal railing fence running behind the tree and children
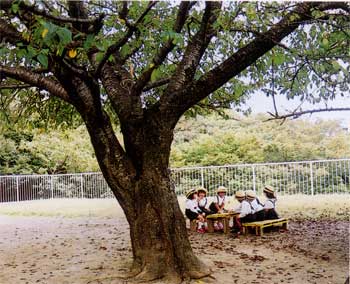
308, 177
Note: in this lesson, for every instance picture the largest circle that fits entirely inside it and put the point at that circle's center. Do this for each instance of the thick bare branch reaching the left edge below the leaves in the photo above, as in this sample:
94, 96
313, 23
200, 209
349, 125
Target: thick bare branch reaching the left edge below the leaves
35, 80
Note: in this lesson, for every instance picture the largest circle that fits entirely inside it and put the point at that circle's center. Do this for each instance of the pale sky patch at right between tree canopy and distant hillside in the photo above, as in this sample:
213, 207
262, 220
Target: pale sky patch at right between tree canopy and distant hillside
259, 103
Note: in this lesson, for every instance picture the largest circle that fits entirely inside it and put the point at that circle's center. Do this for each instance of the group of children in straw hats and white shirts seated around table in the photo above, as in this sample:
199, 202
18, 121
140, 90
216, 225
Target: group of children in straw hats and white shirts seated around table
250, 208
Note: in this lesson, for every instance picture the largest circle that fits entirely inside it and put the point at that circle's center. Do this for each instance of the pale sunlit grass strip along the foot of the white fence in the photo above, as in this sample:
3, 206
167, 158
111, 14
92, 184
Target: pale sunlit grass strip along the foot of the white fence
335, 206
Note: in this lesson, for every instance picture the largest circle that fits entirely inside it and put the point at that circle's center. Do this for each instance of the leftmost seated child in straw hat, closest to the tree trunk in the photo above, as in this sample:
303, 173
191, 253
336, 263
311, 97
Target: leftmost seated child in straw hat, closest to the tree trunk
192, 210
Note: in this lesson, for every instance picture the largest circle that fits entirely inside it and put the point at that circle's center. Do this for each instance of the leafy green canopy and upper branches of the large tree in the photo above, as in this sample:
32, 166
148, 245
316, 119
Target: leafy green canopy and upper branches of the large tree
151, 39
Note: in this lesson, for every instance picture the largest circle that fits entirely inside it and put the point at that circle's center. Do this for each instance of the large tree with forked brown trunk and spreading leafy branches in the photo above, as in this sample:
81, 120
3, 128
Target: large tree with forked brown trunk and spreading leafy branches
145, 64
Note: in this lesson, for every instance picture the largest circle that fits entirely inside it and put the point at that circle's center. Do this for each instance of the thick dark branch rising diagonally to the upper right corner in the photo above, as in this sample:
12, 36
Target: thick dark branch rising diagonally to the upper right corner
244, 57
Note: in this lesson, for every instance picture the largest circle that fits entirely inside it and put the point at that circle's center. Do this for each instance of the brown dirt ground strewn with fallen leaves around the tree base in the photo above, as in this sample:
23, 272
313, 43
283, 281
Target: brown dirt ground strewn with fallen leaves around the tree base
95, 250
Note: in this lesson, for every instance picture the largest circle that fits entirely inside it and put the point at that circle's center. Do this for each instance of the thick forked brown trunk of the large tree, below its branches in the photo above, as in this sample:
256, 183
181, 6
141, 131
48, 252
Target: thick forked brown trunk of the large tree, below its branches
160, 244
